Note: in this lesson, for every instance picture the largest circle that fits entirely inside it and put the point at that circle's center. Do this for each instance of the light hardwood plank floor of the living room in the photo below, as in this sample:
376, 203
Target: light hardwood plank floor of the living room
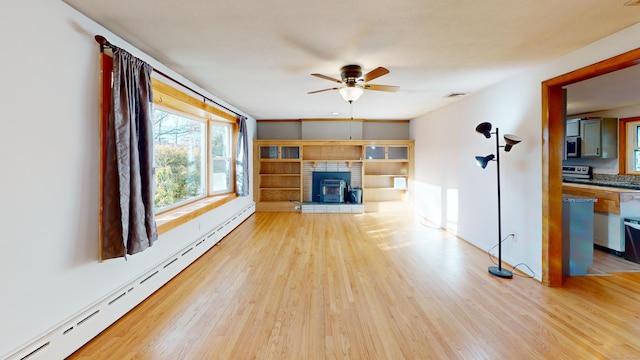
372, 286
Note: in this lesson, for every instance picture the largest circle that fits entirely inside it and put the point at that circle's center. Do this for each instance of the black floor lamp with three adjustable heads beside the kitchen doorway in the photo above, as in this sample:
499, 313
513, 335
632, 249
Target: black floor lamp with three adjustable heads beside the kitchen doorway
482, 161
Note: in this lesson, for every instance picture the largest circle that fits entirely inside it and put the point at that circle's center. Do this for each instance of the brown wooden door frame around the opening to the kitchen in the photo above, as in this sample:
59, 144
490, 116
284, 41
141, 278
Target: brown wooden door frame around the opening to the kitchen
552, 151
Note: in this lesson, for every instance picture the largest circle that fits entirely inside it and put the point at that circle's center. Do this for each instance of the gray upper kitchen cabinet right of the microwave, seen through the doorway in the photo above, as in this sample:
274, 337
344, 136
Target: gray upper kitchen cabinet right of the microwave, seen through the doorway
599, 138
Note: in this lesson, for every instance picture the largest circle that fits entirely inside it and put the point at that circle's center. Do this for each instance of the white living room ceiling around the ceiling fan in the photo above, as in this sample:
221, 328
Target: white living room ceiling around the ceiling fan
258, 55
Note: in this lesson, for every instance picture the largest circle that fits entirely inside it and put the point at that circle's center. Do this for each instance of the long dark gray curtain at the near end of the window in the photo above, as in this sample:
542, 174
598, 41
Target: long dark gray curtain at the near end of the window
128, 224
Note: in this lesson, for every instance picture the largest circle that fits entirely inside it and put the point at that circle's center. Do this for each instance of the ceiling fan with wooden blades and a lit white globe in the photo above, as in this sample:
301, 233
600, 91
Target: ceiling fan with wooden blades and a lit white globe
353, 83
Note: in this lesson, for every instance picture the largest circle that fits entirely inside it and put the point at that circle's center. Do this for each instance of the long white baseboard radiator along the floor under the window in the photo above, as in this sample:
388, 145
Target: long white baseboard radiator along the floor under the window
72, 334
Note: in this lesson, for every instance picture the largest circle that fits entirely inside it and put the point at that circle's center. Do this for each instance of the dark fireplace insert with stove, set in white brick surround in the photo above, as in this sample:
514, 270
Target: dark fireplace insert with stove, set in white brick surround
330, 186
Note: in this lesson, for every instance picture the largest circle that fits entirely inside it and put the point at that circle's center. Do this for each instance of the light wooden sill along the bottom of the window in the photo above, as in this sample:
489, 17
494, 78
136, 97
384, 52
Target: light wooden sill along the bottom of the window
173, 218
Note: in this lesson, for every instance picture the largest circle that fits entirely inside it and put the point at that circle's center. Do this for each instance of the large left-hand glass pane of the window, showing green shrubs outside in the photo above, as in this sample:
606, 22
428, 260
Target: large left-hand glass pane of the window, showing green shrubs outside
180, 157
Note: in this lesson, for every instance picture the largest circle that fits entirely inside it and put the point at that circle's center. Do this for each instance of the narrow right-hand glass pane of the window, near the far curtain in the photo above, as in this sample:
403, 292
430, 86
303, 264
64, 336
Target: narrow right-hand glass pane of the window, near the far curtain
220, 138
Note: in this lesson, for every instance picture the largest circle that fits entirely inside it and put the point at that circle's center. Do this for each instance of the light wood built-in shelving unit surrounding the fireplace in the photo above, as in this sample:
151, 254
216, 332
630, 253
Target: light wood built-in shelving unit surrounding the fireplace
283, 168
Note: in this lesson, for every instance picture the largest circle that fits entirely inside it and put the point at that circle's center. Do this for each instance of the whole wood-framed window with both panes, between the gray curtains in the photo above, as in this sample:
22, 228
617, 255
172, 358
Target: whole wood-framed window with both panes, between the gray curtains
193, 149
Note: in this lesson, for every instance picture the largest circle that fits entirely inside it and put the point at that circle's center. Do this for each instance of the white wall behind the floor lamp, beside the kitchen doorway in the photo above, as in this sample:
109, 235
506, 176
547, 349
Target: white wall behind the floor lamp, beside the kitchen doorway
456, 194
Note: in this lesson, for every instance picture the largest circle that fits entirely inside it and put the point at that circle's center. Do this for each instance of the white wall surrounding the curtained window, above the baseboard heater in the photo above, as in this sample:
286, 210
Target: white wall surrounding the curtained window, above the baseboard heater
49, 144
